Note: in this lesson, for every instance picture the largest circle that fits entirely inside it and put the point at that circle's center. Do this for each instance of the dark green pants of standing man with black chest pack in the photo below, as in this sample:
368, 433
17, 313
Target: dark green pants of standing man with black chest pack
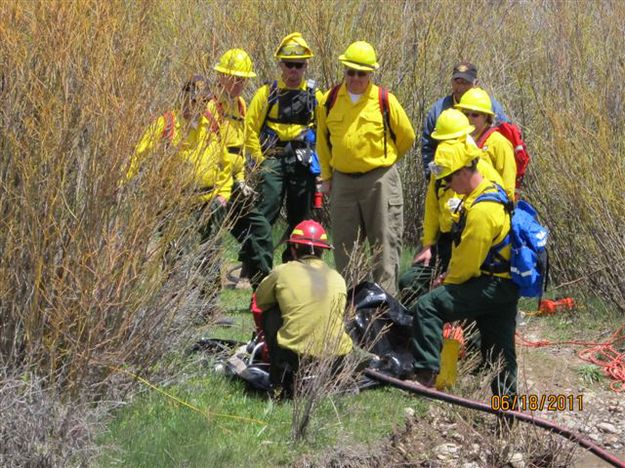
284, 179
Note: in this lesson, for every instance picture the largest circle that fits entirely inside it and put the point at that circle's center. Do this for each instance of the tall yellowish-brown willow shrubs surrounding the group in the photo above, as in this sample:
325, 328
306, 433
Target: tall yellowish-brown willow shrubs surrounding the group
83, 284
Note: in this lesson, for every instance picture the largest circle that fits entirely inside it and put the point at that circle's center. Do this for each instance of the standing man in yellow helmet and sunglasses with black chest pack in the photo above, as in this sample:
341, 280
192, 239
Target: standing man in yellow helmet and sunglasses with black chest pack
281, 137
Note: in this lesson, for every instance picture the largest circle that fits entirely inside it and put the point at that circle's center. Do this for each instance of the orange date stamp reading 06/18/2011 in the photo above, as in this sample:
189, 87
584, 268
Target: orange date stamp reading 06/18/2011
533, 402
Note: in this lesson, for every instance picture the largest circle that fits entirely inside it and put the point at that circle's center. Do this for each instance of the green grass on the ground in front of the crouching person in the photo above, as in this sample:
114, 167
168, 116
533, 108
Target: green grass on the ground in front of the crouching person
156, 430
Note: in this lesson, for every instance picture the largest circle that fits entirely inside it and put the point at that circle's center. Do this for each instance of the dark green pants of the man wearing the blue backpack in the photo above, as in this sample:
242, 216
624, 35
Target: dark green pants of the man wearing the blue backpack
491, 302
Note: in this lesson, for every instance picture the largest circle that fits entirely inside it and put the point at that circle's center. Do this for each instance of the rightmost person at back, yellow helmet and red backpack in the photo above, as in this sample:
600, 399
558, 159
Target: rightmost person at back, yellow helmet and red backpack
477, 106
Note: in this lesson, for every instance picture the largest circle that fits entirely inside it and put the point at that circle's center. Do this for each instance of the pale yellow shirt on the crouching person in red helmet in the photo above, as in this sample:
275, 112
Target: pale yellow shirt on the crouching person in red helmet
312, 298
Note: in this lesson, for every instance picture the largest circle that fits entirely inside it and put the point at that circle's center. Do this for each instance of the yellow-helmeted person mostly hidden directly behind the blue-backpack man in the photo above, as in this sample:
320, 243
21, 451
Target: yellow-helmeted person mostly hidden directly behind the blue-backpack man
441, 207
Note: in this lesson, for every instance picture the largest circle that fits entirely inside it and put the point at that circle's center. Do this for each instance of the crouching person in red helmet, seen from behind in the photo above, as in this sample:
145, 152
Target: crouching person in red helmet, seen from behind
303, 303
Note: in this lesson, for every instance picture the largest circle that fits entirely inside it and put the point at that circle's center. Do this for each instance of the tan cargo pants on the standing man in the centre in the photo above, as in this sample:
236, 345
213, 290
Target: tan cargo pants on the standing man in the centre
368, 206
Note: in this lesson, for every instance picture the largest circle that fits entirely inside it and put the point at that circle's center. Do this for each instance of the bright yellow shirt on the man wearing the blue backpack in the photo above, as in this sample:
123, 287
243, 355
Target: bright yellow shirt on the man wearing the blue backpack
487, 224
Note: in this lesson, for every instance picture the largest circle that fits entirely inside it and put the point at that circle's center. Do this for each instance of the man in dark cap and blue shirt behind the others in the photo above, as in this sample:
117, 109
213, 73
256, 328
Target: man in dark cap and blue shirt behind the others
463, 78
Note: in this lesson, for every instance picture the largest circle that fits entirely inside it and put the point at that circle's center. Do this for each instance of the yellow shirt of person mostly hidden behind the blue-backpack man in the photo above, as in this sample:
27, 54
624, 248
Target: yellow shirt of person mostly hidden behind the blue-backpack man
441, 201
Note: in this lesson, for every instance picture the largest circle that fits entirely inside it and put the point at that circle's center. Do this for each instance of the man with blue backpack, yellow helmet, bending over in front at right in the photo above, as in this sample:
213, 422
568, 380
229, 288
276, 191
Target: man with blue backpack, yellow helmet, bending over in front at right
477, 284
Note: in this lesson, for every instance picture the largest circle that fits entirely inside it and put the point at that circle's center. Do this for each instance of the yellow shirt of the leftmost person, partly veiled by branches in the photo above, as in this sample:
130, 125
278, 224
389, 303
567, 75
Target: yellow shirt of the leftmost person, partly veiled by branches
199, 152
